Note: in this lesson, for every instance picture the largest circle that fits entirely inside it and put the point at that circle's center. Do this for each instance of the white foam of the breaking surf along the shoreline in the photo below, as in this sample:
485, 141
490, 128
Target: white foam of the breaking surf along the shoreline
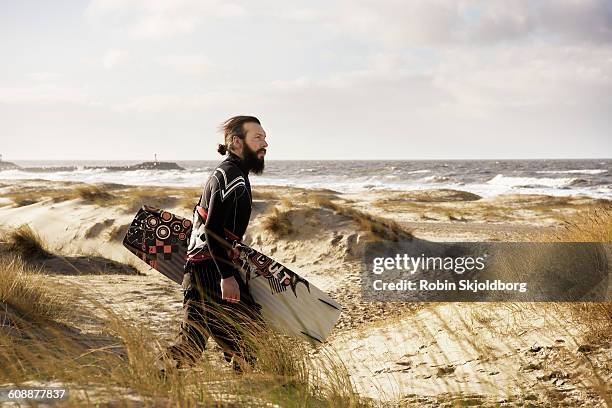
339, 182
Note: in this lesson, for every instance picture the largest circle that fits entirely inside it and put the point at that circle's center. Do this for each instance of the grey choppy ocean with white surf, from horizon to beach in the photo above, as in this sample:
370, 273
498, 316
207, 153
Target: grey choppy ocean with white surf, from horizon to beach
592, 177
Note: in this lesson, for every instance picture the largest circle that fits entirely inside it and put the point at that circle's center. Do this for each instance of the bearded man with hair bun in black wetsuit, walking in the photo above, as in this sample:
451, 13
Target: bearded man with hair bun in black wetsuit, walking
216, 301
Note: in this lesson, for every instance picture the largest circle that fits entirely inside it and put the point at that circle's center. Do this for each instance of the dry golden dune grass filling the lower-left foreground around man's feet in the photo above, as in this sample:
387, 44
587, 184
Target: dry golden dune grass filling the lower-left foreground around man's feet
40, 341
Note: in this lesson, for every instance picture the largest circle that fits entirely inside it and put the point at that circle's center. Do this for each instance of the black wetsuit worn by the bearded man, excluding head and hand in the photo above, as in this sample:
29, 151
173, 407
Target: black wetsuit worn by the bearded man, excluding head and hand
227, 201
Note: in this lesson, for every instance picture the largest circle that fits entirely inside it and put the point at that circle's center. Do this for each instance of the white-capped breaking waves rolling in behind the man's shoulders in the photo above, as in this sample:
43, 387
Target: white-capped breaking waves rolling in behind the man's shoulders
348, 179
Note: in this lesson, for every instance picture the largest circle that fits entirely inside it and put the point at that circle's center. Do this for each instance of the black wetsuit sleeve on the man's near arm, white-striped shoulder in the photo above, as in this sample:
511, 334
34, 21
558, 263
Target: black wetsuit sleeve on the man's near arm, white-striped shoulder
222, 199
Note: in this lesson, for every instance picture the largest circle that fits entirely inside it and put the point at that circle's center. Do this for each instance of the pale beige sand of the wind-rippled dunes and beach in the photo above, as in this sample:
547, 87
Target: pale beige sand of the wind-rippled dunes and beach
417, 353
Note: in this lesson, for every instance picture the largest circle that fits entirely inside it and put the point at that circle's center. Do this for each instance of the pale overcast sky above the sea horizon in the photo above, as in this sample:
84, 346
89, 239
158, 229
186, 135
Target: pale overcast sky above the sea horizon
335, 79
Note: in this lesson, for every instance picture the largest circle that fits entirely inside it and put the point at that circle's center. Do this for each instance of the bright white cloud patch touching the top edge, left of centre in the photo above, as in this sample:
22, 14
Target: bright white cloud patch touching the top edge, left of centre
157, 18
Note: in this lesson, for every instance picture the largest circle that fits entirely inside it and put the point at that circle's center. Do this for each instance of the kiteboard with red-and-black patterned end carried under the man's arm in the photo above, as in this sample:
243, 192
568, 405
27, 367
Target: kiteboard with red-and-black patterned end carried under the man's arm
289, 302
